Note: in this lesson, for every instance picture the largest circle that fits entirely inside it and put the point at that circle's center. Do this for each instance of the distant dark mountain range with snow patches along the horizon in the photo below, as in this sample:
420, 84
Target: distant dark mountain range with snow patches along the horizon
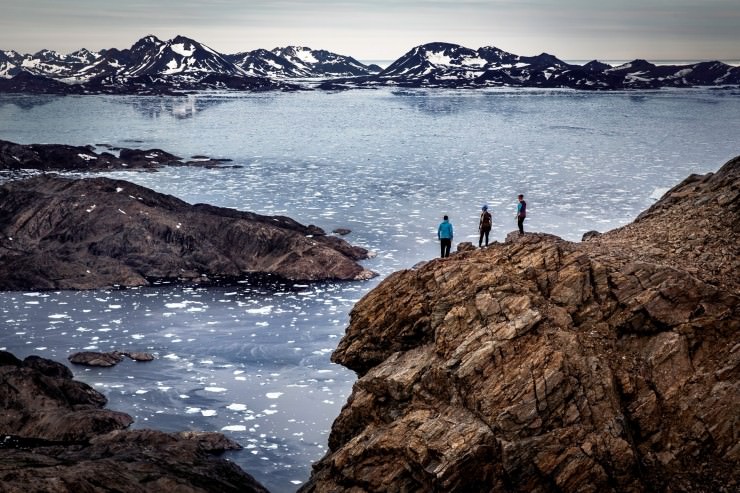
153, 66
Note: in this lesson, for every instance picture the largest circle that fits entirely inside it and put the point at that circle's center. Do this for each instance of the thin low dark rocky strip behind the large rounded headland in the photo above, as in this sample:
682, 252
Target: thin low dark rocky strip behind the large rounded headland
58, 157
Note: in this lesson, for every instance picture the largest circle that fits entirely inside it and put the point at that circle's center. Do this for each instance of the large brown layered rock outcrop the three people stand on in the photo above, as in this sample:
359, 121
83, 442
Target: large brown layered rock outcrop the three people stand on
542, 365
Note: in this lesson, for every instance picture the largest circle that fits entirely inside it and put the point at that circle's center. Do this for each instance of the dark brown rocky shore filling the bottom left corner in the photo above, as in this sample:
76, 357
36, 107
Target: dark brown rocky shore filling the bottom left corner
56, 437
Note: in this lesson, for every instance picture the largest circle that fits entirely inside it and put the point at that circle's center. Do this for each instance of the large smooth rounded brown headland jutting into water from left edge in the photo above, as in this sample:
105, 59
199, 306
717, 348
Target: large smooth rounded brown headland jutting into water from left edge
60, 233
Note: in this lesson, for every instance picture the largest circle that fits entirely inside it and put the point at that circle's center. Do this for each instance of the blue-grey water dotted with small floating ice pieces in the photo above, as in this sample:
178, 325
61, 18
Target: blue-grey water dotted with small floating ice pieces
387, 164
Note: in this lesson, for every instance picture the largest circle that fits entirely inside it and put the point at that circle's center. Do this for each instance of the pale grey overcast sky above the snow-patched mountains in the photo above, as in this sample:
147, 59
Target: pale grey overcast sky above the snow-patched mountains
386, 29
